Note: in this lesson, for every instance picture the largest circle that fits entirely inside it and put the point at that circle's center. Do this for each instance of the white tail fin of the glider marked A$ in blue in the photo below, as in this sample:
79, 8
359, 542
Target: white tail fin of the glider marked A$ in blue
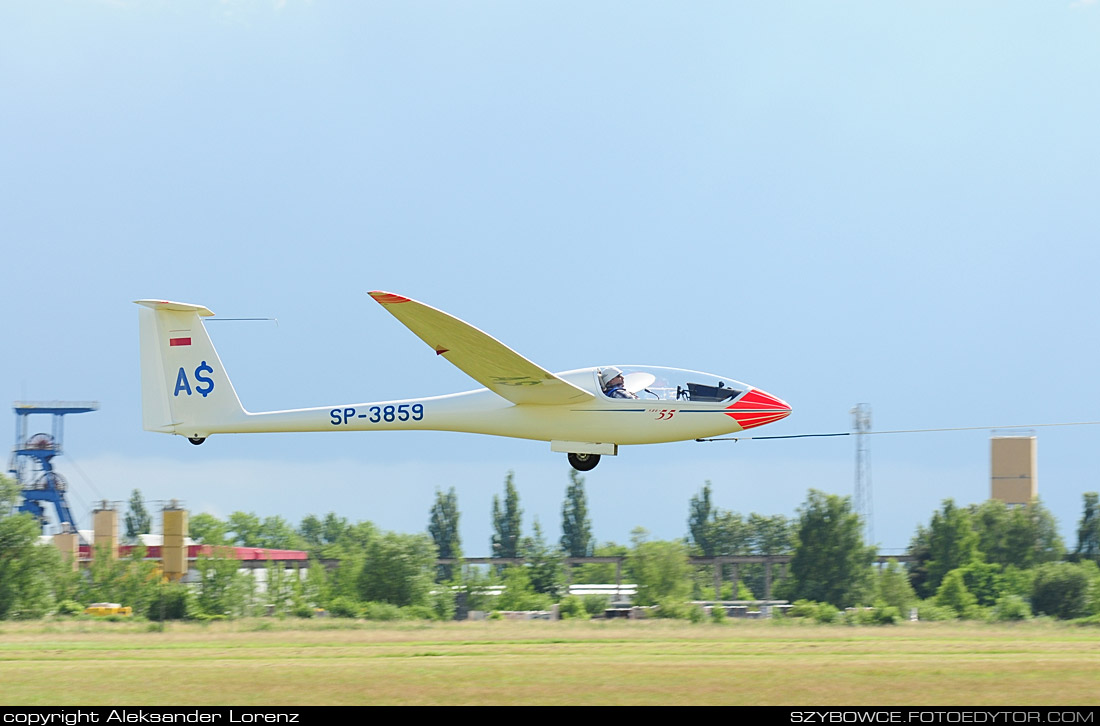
184, 387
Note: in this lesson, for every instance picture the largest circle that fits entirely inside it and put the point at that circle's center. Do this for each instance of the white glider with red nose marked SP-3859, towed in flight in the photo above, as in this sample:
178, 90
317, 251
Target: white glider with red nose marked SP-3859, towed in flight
585, 413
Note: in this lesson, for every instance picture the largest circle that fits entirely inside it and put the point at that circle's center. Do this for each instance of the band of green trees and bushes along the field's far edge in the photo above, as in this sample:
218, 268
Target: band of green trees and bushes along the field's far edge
985, 562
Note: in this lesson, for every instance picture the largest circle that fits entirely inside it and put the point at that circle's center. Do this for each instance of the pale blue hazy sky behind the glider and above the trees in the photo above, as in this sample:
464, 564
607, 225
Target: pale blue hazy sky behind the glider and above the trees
881, 203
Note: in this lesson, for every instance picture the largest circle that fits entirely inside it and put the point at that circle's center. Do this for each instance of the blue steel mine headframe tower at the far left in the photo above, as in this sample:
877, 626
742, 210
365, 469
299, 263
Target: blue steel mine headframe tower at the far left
31, 461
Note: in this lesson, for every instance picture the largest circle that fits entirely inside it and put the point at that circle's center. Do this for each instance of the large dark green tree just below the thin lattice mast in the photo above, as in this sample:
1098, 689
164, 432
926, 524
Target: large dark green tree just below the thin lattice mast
831, 563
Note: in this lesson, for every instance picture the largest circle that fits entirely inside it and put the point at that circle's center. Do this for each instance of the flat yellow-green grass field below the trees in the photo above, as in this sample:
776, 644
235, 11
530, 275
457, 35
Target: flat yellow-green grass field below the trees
333, 663
